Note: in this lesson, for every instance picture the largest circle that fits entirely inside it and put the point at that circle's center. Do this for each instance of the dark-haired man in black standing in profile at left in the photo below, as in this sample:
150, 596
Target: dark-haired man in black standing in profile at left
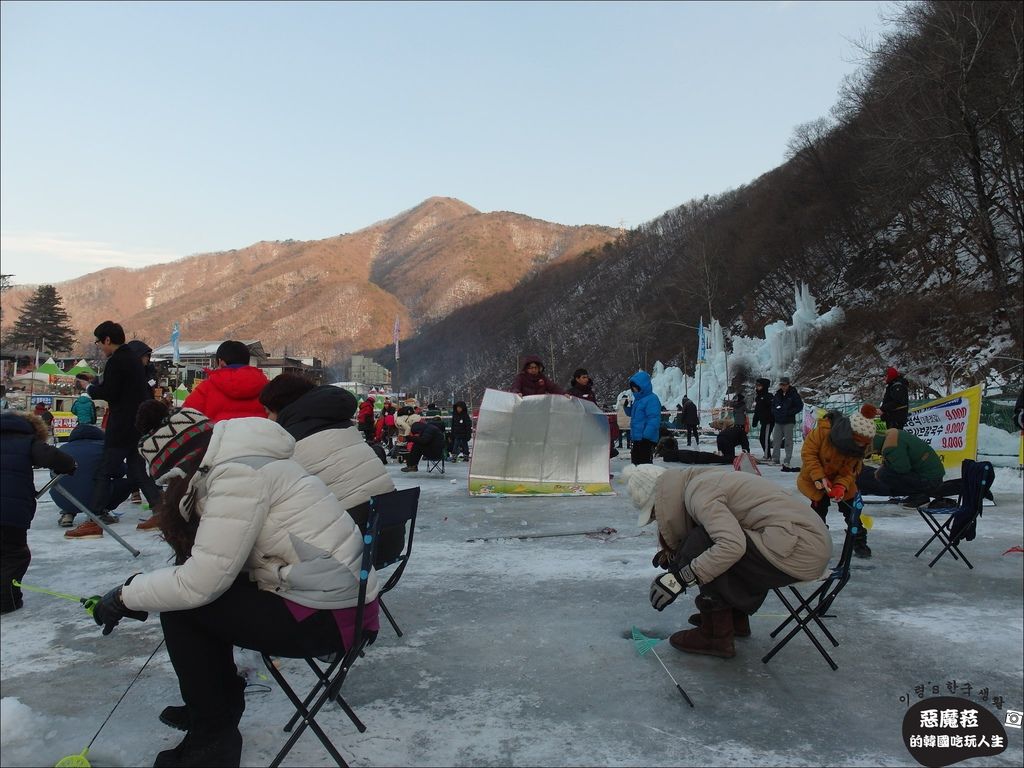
124, 387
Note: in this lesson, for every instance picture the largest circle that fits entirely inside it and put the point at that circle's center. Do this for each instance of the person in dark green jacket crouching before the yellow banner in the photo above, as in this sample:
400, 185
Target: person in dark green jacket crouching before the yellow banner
910, 467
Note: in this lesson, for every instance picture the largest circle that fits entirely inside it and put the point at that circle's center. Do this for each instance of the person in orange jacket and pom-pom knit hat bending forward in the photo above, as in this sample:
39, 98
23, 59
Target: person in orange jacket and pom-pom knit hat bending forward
833, 457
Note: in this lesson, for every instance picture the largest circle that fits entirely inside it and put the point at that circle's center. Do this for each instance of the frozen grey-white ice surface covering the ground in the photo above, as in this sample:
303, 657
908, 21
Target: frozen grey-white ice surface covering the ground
517, 653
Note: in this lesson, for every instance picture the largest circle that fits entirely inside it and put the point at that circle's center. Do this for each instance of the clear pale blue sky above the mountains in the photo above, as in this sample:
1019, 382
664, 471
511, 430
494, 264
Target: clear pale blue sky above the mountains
134, 134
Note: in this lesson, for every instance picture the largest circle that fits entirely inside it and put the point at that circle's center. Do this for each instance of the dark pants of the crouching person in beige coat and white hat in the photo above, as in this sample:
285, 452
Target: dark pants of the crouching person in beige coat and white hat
745, 586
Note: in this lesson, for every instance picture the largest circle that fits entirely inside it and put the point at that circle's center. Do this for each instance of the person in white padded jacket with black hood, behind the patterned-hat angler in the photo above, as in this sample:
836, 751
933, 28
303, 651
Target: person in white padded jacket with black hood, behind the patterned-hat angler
328, 444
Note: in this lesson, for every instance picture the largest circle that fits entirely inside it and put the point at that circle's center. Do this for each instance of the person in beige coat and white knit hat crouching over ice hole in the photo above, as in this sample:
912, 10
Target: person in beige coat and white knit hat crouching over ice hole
731, 536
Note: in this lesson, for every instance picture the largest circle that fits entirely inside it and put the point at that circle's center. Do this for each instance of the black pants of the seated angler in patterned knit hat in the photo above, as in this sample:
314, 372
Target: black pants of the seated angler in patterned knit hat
200, 644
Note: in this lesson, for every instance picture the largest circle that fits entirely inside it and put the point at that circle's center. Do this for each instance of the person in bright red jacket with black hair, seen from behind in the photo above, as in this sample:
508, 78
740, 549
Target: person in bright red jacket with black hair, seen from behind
231, 391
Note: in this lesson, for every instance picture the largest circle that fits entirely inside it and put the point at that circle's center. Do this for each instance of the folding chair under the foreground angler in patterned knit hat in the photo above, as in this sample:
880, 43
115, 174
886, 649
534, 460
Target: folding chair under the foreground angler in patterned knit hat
387, 511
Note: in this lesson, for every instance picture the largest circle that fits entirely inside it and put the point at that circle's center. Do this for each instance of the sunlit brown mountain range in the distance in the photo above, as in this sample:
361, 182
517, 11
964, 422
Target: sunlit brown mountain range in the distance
330, 297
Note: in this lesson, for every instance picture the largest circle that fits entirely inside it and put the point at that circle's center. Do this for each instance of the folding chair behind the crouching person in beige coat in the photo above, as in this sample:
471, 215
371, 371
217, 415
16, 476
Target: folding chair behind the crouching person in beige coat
816, 607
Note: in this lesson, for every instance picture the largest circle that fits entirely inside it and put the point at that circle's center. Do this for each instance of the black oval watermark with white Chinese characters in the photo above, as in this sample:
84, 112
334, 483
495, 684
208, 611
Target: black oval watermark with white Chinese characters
944, 731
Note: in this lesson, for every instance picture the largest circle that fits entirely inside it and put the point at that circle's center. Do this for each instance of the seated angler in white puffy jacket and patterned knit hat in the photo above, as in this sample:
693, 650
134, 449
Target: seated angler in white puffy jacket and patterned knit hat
266, 559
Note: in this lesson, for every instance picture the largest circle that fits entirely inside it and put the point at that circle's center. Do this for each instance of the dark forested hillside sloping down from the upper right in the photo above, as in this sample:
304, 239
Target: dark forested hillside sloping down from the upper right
905, 207
